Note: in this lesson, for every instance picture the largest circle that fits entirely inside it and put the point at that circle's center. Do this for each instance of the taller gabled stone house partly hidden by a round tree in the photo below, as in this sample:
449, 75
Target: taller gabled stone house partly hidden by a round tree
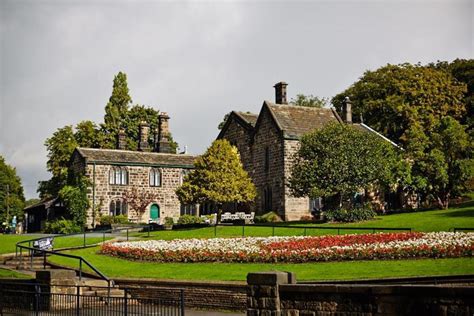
267, 142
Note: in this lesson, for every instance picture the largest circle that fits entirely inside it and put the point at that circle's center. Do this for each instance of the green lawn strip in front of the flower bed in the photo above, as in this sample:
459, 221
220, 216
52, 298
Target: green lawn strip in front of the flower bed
116, 267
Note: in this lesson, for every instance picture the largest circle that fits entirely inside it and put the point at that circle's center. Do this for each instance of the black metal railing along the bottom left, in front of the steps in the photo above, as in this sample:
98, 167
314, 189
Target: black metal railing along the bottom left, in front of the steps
41, 299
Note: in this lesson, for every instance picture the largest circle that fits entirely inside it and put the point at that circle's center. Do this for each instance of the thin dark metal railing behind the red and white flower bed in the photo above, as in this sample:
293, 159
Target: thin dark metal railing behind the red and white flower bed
306, 228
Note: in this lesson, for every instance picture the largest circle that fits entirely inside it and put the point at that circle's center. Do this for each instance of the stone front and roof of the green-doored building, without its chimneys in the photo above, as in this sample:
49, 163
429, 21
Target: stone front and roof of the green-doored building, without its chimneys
98, 164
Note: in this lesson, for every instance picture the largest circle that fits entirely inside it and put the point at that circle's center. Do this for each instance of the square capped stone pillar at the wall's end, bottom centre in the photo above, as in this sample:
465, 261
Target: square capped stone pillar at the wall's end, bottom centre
263, 292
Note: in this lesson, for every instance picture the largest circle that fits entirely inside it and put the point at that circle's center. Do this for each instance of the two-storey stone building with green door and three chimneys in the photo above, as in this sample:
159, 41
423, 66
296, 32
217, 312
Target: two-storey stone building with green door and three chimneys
113, 172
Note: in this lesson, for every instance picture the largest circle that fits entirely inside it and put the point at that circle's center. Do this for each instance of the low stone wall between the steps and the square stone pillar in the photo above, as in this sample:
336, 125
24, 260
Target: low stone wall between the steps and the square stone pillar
203, 295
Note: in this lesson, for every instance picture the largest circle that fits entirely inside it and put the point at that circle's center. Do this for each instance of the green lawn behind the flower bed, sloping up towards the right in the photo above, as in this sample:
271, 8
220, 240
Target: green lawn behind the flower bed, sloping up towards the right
435, 220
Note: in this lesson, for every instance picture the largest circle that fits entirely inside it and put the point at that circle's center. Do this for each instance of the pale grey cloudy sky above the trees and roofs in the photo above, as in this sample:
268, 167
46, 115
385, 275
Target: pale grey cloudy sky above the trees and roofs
198, 60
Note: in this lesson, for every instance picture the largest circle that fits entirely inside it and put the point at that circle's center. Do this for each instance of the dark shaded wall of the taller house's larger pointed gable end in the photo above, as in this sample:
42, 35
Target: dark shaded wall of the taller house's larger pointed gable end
268, 136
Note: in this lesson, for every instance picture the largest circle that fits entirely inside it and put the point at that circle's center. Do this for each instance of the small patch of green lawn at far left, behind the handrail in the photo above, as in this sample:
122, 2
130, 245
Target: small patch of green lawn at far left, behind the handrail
8, 242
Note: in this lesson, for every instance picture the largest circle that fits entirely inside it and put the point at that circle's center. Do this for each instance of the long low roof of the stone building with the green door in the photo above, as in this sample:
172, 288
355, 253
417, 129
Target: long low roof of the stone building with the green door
128, 157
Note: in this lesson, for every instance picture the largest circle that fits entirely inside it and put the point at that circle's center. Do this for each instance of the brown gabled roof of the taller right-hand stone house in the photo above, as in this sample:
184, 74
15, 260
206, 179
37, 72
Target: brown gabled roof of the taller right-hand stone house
295, 121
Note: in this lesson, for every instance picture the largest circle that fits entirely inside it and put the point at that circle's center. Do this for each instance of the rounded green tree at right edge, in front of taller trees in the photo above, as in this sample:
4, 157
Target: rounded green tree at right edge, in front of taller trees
442, 161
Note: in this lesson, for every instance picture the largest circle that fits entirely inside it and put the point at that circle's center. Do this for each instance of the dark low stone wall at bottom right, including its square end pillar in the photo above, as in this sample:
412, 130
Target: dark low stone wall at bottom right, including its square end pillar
276, 293
